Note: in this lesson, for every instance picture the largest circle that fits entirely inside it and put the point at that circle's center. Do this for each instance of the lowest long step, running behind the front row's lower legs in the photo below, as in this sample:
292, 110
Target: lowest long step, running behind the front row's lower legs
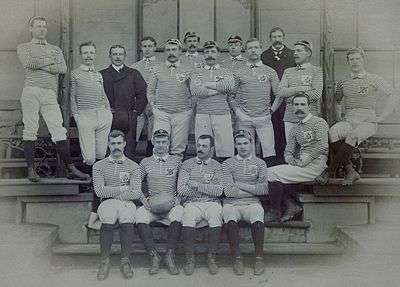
246, 248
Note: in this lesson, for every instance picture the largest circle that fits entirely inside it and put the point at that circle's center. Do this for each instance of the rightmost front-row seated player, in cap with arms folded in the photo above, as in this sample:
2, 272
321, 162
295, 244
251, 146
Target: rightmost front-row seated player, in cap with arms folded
244, 178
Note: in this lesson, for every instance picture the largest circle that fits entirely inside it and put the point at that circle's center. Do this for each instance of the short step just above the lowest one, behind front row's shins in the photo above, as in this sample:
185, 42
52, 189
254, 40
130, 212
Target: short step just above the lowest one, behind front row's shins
295, 232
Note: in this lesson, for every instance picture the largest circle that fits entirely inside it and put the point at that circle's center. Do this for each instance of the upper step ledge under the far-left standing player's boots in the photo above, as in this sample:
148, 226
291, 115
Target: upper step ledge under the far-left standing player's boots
46, 186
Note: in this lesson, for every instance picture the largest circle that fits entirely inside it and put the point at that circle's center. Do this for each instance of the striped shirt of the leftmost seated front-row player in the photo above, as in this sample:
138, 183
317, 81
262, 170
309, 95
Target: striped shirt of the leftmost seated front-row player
109, 175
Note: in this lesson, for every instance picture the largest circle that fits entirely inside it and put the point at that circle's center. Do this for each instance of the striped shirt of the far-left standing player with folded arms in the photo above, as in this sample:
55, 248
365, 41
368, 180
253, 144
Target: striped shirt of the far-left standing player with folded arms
42, 63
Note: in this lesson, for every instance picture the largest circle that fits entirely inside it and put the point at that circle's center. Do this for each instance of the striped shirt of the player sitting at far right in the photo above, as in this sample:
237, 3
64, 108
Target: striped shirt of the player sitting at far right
362, 91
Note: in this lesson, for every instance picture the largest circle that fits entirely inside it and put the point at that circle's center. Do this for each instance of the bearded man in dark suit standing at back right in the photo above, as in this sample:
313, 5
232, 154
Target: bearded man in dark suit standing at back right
279, 57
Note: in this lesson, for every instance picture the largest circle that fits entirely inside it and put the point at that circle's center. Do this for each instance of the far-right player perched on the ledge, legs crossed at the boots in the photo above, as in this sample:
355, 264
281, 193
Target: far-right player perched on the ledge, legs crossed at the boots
360, 92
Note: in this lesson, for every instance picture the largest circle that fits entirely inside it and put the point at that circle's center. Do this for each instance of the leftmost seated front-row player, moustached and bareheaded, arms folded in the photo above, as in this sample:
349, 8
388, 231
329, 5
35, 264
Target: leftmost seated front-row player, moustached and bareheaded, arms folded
117, 181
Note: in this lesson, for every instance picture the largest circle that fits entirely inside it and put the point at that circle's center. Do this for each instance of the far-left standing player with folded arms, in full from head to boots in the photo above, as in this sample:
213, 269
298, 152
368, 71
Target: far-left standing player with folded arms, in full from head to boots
43, 63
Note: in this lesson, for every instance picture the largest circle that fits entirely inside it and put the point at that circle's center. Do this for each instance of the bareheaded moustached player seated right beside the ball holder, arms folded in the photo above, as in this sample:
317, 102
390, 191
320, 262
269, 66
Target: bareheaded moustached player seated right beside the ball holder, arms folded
200, 185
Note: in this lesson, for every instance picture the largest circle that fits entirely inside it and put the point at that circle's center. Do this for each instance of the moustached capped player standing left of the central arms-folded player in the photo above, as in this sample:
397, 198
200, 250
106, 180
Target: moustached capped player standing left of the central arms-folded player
172, 102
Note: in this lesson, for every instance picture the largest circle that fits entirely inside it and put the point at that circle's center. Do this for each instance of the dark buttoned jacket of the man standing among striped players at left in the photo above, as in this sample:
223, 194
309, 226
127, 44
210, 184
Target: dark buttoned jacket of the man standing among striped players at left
126, 92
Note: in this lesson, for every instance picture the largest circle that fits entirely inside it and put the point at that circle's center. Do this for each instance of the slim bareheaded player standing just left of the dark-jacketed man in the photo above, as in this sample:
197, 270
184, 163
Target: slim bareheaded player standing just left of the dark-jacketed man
90, 106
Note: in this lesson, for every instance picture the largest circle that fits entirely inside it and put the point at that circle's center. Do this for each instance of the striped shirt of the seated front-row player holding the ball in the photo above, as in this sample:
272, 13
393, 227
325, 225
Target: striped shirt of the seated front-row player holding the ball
160, 175
